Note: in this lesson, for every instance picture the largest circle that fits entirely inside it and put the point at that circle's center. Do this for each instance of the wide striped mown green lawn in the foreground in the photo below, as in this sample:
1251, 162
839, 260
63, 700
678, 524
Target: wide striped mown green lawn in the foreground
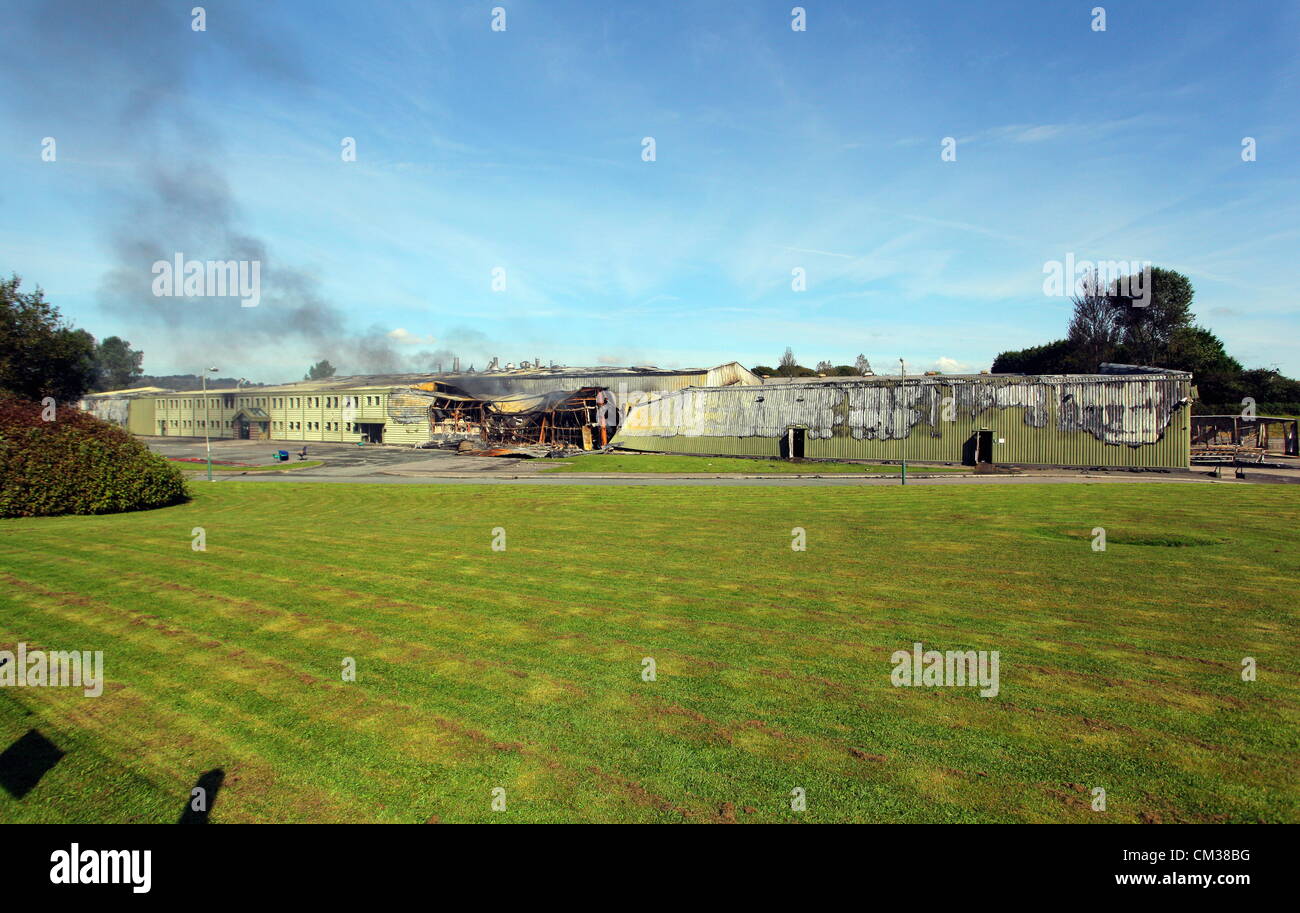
522, 669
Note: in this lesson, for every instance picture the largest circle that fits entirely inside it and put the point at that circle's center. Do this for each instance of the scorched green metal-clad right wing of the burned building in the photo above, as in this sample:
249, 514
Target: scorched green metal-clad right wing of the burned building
1121, 419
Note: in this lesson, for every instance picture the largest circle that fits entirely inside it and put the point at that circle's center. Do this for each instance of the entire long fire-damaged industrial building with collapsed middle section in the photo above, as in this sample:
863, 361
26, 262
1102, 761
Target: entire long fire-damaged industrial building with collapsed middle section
1123, 417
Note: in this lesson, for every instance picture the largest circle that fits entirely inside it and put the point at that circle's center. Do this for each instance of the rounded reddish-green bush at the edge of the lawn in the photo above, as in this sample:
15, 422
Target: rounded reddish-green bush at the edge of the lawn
77, 465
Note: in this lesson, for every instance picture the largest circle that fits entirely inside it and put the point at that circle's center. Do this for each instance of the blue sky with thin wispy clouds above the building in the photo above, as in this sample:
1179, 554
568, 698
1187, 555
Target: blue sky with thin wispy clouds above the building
775, 150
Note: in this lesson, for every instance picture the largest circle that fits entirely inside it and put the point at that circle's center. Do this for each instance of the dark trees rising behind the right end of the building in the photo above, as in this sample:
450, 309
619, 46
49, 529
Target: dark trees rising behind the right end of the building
1110, 327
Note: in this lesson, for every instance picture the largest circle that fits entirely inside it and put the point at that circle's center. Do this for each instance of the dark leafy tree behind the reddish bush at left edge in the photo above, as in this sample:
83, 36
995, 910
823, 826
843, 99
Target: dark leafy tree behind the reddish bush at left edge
41, 356
